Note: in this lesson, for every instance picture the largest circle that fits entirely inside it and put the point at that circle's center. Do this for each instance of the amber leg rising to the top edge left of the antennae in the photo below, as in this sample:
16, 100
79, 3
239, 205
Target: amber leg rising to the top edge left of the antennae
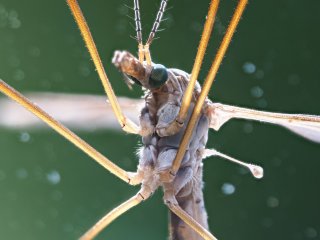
126, 124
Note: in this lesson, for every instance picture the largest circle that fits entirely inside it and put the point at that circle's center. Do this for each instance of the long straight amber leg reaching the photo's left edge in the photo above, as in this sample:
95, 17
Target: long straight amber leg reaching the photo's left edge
65, 132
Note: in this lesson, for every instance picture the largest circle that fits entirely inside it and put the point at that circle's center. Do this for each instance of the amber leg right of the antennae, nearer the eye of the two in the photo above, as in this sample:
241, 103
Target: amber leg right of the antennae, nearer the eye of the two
176, 125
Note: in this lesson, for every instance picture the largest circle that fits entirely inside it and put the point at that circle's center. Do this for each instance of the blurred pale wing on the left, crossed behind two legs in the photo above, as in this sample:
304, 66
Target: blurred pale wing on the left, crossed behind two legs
77, 111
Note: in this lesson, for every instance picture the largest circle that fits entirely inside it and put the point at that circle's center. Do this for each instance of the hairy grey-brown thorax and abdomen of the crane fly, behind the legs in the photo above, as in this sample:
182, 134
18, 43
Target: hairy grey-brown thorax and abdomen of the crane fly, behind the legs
158, 152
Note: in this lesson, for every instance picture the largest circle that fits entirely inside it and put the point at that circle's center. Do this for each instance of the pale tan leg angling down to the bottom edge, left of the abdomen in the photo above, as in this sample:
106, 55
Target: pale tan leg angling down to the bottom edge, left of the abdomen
142, 195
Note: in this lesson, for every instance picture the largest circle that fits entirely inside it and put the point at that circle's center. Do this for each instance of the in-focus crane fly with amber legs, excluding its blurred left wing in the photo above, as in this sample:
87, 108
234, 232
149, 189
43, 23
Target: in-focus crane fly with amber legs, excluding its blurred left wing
173, 123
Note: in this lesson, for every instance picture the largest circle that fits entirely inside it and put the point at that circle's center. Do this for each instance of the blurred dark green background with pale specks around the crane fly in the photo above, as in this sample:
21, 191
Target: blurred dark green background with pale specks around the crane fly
51, 190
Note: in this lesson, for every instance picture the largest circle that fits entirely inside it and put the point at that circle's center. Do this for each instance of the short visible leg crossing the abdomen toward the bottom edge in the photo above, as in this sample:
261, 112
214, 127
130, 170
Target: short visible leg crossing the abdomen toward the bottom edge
176, 209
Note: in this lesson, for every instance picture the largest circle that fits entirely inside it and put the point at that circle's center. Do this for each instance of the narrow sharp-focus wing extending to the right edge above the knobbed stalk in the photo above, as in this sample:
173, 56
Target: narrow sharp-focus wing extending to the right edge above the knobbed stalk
307, 126
